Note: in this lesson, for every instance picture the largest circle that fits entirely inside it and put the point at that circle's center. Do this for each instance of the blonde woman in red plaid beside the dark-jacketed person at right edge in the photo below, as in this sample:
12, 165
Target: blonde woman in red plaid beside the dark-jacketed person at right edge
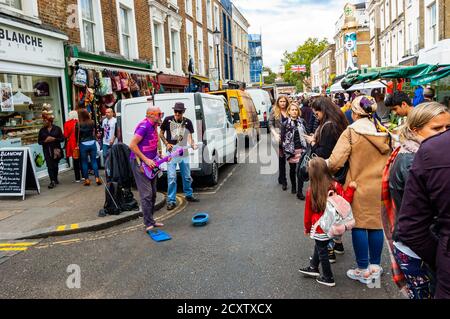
410, 273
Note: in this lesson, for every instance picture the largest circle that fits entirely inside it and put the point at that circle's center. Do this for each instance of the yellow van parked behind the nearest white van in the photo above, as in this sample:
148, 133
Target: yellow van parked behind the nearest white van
244, 113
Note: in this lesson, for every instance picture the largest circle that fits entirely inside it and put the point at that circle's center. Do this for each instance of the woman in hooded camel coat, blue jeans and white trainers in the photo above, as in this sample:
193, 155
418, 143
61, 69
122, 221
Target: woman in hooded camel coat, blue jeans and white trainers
366, 146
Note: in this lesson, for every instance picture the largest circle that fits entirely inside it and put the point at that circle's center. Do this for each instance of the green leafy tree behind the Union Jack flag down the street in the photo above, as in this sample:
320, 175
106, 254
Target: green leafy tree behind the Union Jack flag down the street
304, 54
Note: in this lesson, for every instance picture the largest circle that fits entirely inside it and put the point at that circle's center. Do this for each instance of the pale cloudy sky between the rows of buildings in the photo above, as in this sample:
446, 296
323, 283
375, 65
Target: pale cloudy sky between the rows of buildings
285, 24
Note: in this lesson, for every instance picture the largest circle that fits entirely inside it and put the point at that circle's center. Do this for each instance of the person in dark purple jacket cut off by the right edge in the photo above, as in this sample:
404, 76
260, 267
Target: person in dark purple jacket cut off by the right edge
426, 197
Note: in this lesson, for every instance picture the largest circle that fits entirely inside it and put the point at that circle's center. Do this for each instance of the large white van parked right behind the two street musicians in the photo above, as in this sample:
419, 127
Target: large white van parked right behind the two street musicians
213, 127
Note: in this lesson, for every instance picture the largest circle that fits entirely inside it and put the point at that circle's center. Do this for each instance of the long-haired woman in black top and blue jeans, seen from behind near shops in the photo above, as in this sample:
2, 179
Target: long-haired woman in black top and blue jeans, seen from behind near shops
88, 147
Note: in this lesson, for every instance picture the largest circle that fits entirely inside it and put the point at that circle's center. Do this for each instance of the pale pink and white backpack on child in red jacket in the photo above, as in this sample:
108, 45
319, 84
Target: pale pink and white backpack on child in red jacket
337, 217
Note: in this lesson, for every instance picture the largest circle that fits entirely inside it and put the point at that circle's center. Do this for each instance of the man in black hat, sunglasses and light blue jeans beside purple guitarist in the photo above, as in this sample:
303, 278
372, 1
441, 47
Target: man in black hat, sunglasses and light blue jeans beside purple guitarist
176, 132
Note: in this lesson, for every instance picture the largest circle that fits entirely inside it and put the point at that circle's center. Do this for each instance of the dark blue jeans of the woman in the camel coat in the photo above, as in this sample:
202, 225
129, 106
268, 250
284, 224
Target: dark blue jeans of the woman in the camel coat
368, 246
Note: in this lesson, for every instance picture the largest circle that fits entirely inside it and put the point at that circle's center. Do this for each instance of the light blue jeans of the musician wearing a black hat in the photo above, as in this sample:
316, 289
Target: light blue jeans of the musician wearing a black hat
185, 171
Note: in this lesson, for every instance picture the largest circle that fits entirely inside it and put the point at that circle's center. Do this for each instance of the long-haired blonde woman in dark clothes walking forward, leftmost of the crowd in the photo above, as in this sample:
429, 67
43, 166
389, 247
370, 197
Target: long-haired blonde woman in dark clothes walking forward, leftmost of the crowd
277, 117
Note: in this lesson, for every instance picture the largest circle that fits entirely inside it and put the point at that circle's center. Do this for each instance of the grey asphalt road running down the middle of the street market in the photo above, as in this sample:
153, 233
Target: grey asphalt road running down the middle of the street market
251, 248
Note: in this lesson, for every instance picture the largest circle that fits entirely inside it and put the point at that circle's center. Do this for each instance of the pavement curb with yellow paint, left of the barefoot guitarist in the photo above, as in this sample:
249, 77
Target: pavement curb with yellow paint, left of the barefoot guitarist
94, 225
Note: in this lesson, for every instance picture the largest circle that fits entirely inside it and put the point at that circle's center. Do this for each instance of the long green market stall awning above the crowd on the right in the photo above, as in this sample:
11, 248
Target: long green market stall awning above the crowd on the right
355, 77
